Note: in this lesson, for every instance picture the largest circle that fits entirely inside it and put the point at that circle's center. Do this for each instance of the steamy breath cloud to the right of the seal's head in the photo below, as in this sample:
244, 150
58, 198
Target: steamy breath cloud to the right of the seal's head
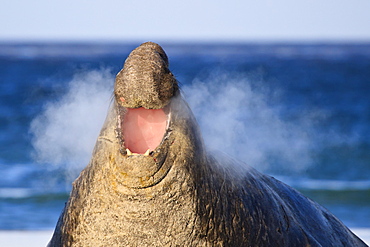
237, 118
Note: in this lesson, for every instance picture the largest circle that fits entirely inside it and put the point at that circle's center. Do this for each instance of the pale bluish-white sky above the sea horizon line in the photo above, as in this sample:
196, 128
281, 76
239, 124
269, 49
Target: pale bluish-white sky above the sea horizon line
190, 20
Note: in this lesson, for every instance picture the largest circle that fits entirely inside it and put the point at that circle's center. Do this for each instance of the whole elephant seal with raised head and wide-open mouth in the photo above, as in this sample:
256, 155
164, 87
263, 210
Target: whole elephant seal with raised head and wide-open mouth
150, 181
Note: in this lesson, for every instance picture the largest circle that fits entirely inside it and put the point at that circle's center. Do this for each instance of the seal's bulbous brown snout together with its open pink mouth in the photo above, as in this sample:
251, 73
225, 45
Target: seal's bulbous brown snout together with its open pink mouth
143, 90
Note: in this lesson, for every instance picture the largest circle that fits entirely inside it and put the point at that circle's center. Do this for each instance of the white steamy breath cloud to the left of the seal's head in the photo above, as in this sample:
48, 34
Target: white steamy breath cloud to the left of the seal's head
65, 133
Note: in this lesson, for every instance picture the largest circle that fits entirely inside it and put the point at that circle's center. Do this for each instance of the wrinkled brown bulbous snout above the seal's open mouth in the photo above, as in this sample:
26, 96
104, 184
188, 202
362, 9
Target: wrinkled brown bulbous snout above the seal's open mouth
145, 80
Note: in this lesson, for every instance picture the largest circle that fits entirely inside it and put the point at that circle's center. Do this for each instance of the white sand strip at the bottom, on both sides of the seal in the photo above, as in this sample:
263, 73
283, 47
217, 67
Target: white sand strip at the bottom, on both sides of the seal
41, 238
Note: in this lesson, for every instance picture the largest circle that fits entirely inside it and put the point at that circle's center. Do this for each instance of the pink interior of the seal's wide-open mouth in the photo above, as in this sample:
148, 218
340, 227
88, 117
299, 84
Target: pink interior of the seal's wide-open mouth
143, 129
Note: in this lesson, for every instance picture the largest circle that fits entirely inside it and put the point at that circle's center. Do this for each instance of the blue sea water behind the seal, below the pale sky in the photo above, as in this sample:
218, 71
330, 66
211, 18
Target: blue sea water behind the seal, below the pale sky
299, 112
